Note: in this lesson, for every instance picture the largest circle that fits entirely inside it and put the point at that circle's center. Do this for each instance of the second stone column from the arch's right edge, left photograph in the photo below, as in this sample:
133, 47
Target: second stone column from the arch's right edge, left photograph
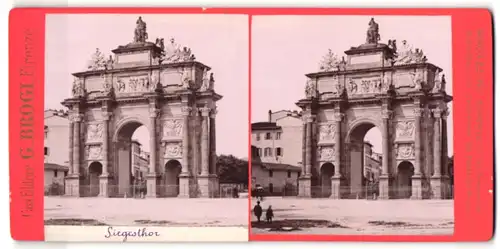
203, 179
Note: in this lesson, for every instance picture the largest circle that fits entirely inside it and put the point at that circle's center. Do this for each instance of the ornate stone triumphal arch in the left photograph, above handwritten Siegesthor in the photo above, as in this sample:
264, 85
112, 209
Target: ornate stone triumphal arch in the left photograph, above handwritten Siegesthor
161, 86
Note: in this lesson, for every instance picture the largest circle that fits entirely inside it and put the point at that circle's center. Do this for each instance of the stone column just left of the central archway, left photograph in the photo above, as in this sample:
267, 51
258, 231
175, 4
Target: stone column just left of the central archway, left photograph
104, 178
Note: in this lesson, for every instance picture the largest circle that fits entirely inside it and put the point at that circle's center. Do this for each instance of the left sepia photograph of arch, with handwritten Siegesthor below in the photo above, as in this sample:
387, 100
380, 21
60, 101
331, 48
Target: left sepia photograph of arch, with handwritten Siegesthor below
145, 135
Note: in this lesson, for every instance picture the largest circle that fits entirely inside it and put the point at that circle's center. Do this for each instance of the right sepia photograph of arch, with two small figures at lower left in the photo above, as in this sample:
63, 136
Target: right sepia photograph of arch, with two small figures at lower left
352, 125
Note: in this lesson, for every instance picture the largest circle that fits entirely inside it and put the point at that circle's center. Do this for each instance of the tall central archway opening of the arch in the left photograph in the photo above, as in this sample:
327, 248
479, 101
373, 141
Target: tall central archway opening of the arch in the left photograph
132, 159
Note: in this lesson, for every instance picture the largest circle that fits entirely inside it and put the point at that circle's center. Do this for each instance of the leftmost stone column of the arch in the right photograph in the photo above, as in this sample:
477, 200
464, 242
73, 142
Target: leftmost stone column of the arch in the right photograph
305, 179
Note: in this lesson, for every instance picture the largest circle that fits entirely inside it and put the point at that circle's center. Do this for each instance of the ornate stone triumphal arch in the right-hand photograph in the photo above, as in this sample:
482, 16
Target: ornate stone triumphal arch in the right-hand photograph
389, 86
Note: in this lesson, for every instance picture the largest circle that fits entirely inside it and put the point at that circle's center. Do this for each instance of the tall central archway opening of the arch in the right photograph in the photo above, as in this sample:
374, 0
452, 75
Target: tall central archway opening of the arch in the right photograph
364, 142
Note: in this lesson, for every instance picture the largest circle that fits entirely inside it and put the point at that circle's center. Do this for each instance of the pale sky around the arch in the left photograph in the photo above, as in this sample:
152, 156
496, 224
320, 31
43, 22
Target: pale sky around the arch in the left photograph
218, 41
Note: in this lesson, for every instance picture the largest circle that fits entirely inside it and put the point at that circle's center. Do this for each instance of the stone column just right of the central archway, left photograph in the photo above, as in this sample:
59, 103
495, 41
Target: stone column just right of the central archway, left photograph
152, 176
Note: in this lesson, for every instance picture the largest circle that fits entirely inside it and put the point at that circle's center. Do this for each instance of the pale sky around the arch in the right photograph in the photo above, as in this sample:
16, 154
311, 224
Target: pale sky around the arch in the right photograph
285, 48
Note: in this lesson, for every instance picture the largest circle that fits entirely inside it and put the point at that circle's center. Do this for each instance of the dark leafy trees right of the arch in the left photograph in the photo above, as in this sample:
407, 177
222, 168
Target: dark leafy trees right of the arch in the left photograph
232, 169
